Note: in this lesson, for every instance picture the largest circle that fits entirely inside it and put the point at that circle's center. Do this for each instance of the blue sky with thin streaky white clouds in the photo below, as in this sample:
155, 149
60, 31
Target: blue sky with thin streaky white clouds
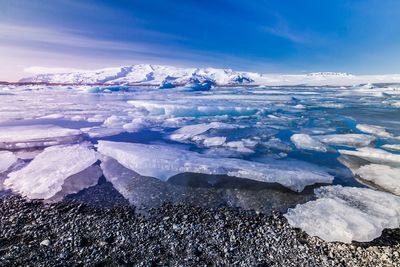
280, 36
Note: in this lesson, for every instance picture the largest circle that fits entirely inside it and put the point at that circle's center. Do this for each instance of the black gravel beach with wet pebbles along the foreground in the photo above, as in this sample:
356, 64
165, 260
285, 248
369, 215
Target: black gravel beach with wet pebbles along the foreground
33, 233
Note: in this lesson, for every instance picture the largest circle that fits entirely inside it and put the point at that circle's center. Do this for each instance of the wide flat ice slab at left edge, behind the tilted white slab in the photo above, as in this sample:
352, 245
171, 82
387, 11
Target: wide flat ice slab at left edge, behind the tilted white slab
16, 137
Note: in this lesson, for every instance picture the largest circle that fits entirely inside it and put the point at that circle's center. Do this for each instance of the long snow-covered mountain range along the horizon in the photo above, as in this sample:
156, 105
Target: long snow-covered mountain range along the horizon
168, 77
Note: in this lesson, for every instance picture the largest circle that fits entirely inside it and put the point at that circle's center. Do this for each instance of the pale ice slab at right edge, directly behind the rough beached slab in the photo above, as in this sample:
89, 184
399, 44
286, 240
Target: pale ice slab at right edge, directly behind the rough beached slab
383, 176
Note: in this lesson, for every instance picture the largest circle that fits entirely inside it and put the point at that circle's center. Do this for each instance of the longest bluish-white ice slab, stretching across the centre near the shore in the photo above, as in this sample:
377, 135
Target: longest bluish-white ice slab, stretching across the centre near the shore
163, 162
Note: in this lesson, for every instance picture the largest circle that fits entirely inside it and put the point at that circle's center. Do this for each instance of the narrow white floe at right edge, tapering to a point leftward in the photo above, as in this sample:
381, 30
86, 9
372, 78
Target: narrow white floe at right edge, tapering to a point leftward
374, 155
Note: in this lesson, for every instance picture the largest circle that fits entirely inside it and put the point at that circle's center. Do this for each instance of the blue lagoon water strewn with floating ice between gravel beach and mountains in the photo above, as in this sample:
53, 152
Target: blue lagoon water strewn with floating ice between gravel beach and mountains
284, 142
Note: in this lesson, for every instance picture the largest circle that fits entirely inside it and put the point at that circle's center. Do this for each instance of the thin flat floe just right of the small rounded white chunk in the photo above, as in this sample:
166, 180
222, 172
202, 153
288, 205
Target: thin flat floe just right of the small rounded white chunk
352, 140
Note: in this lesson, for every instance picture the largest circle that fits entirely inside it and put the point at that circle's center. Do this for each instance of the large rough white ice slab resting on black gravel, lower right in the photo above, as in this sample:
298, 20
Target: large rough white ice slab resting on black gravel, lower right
346, 214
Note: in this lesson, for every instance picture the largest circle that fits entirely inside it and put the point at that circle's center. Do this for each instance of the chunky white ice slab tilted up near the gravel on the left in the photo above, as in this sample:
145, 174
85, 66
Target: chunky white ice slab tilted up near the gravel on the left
46, 174
